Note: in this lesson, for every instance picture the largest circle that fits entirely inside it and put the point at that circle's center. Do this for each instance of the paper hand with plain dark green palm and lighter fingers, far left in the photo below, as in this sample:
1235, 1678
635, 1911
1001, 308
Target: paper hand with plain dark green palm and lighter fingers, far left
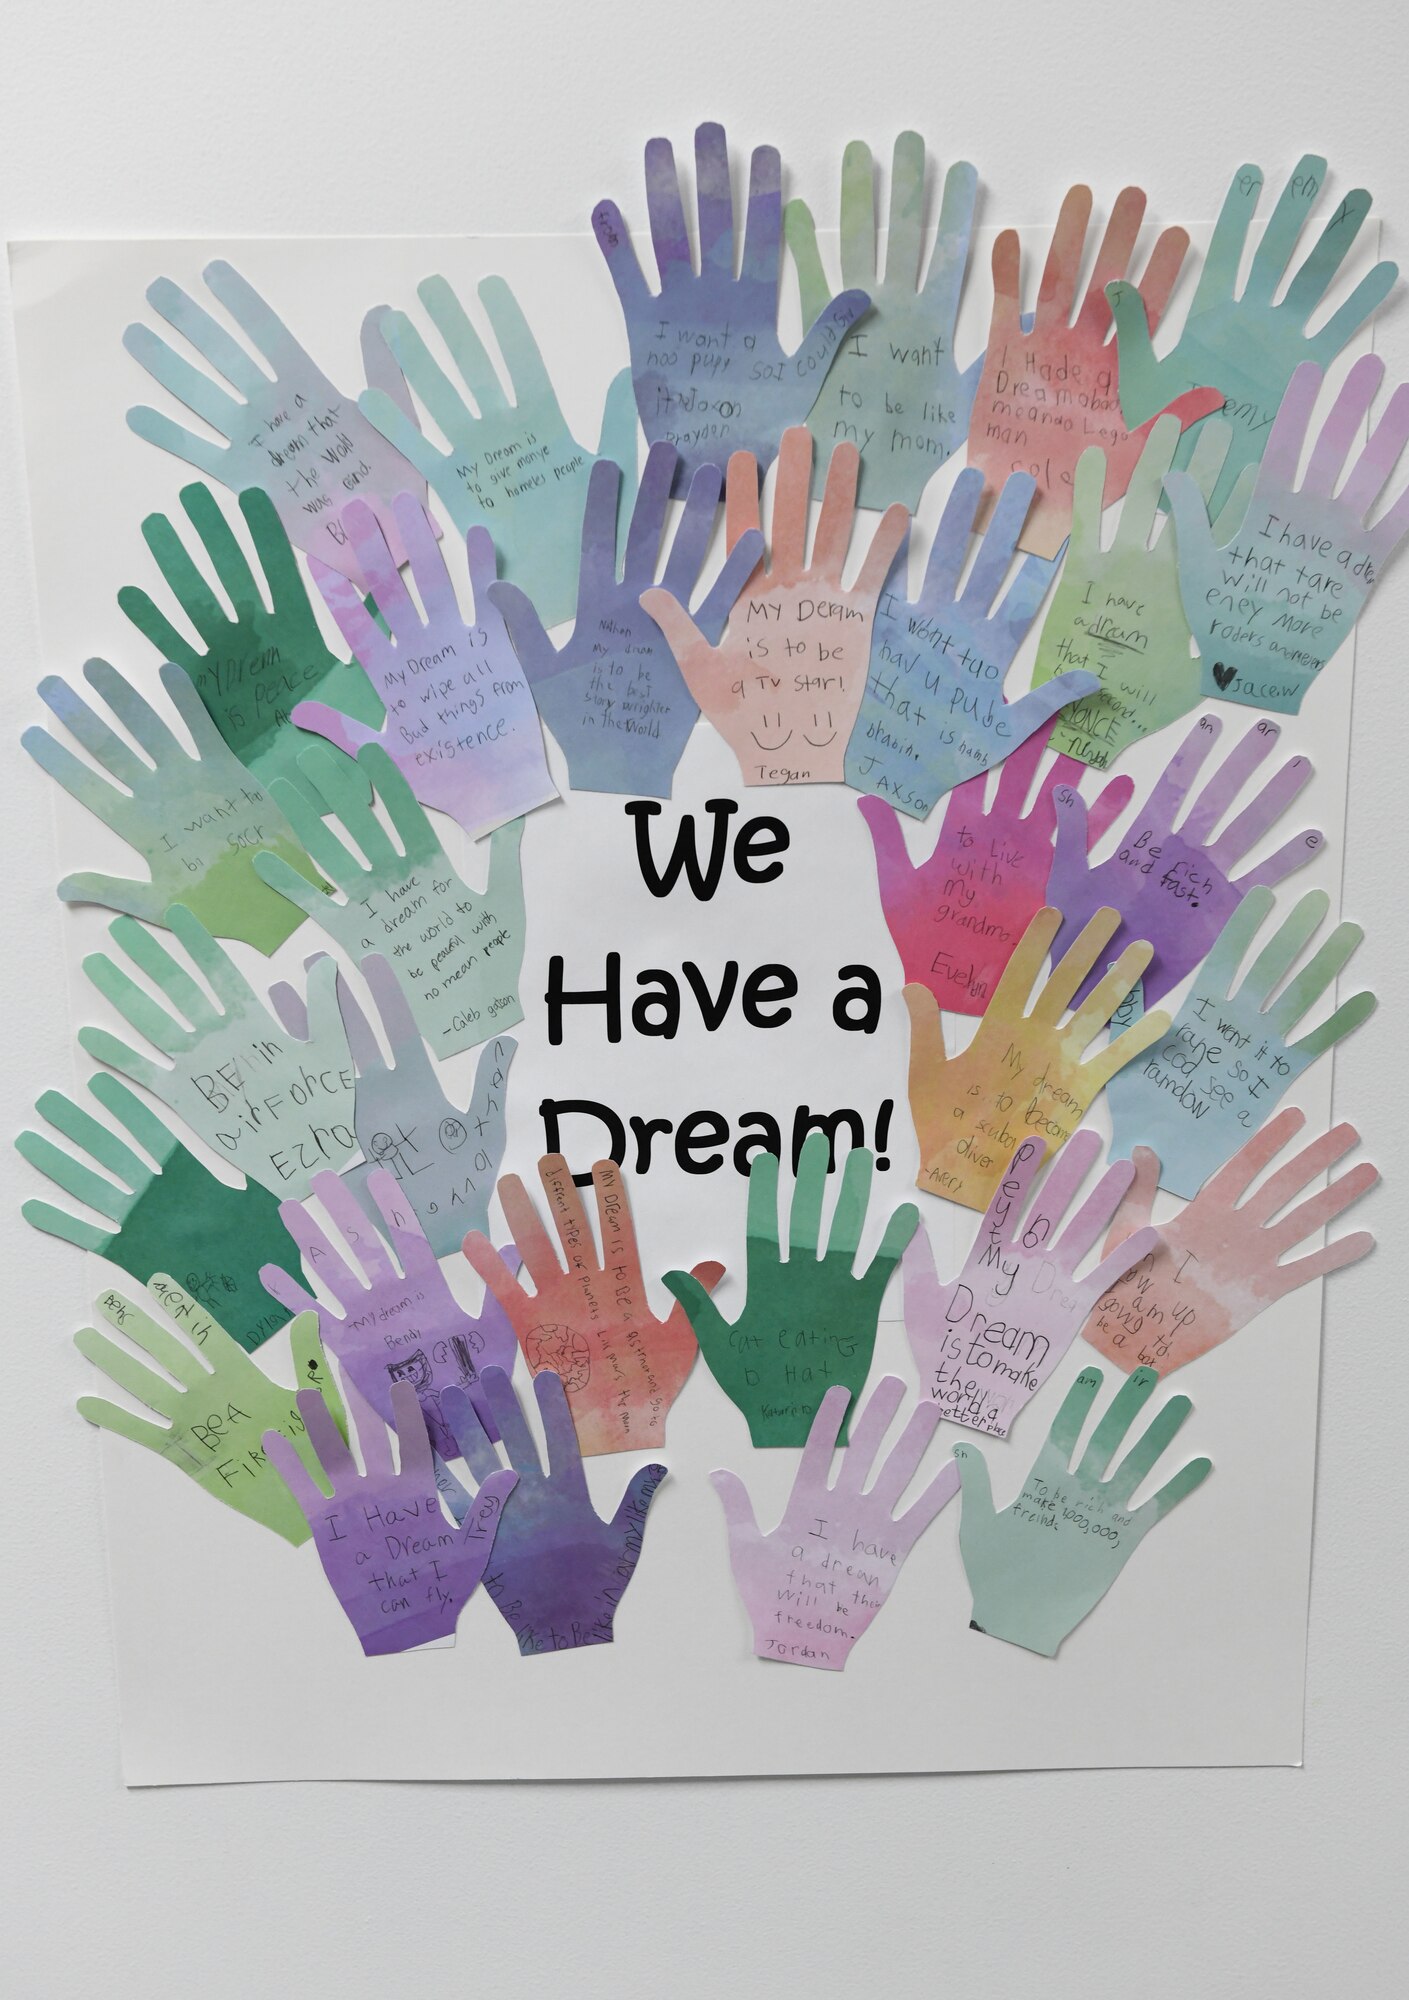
167, 1217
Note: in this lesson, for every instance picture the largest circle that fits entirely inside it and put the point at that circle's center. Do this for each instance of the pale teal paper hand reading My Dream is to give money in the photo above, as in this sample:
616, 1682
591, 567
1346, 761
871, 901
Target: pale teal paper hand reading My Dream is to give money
511, 467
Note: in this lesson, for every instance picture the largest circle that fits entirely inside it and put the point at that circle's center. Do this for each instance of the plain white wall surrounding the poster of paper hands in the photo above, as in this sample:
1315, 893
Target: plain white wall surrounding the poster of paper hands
265, 117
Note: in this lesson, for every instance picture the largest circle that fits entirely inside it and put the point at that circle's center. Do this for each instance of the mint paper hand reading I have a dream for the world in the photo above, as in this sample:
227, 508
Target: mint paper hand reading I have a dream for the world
459, 951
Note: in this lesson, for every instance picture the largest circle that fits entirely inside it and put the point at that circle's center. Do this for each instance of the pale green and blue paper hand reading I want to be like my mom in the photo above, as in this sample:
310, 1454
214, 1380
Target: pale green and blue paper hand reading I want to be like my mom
896, 387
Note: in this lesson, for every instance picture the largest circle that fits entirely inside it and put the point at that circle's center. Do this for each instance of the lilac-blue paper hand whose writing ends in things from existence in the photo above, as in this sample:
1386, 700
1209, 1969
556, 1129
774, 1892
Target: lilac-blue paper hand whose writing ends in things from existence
461, 723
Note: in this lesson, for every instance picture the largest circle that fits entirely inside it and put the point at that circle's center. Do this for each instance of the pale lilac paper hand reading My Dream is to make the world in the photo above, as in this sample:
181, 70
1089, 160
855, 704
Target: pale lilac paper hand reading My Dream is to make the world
988, 1343
